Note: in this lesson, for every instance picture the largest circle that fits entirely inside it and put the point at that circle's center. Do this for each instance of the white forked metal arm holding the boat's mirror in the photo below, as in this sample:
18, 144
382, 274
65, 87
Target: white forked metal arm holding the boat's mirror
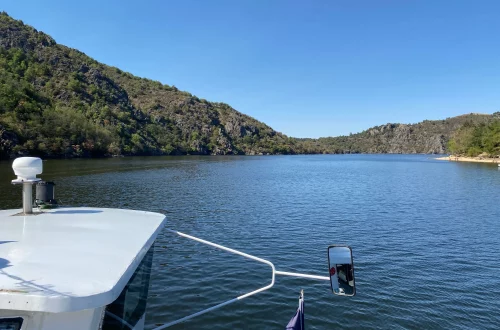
267, 262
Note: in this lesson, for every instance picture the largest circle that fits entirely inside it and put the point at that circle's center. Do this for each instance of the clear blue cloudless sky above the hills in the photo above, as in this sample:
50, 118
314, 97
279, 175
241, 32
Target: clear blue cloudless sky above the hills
306, 68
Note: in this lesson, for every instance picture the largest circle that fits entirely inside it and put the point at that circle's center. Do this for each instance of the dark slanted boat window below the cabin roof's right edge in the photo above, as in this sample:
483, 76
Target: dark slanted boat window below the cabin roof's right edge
128, 309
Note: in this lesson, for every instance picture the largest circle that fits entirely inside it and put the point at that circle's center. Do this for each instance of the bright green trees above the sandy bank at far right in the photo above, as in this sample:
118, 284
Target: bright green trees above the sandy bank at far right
474, 139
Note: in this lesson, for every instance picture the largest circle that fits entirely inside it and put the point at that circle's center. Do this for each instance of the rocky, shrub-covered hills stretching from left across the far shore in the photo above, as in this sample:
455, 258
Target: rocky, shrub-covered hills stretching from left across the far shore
58, 102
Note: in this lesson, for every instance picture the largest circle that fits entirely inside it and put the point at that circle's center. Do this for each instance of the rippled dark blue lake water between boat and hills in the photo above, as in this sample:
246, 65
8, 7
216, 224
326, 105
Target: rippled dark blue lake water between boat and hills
425, 235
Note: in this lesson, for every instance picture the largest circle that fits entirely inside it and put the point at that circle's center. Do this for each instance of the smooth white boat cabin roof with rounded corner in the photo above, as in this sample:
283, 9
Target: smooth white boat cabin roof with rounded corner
71, 259
